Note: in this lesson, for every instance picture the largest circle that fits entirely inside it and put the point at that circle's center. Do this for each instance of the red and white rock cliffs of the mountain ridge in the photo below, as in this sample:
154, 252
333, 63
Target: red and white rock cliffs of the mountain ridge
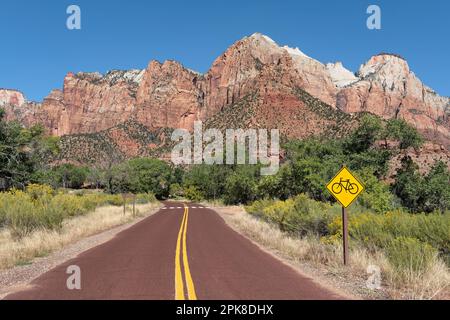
288, 89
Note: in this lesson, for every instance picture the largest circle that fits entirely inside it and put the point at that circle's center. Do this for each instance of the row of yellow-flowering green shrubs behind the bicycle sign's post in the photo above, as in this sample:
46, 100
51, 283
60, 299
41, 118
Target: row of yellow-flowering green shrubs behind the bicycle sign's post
303, 216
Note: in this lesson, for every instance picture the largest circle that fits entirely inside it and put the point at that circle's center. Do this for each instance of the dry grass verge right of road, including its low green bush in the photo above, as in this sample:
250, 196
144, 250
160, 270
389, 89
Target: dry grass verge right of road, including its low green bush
407, 278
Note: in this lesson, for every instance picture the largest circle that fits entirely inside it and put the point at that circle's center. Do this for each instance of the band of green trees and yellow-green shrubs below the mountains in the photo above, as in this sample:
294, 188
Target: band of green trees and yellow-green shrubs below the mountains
403, 226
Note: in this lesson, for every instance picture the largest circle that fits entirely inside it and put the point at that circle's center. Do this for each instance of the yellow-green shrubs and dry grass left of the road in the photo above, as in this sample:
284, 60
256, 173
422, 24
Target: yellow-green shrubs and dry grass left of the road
37, 220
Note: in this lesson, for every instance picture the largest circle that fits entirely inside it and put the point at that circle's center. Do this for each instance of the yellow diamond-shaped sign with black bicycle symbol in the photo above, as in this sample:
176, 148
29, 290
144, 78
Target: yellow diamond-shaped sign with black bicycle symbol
345, 187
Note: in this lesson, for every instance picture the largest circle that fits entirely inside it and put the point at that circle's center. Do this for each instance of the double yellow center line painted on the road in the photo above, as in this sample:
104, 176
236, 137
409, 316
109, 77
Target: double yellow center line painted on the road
181, 257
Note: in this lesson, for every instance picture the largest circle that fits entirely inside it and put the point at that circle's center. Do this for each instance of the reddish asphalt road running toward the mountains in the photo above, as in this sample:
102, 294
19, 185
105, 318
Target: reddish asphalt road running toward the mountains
140, 263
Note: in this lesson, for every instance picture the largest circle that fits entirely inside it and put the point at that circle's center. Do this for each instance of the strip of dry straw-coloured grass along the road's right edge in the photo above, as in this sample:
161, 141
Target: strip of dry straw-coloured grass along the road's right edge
432, 283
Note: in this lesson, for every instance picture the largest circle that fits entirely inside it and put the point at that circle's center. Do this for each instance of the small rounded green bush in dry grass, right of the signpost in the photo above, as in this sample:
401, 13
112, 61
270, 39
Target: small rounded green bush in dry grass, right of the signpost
409, 254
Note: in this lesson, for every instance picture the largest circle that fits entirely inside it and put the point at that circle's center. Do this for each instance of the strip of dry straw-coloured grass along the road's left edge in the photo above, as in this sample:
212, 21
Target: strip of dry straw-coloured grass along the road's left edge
42, 242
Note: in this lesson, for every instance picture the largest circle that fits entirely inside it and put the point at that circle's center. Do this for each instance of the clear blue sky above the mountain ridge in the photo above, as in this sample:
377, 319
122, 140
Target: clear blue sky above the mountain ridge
37, 50
